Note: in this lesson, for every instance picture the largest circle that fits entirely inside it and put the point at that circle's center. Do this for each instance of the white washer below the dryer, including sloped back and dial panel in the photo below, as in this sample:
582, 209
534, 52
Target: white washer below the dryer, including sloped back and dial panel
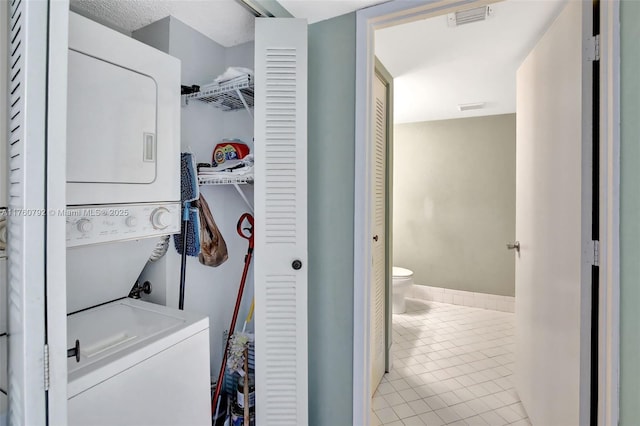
138, 363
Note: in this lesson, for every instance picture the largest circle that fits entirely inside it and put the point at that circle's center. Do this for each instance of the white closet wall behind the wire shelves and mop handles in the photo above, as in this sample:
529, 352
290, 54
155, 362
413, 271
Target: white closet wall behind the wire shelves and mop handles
210, 291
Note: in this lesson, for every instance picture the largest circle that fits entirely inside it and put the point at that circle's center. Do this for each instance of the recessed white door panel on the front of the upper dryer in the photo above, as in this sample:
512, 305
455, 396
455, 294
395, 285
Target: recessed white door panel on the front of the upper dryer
111, 129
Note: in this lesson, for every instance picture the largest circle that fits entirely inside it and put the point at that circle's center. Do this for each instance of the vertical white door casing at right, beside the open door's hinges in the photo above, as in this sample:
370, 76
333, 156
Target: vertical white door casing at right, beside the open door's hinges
609, 336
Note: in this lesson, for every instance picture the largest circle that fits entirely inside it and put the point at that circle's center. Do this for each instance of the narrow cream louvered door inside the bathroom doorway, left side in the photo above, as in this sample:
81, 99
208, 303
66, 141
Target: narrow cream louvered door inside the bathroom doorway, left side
378, 291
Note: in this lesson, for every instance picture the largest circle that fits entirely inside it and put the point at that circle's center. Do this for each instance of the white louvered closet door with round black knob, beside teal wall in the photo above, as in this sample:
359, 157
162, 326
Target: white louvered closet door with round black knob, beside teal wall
281, 221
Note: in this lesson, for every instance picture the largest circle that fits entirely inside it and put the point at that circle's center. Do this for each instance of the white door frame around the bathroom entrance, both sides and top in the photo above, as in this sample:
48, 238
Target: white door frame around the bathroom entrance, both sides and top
402, 11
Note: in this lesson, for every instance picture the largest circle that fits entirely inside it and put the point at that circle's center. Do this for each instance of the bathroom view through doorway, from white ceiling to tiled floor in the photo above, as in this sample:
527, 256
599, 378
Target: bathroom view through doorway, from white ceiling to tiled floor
454, 205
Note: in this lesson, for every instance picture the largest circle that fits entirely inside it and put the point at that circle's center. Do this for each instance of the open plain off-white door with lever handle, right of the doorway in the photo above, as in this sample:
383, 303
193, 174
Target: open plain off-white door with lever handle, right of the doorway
553, 223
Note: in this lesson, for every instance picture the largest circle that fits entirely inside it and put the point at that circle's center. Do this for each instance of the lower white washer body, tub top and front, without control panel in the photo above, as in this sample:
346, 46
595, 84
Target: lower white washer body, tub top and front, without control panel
139, 364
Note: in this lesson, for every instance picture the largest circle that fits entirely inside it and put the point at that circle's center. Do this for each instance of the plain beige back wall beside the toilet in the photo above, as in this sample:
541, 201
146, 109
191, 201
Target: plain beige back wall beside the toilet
454, 203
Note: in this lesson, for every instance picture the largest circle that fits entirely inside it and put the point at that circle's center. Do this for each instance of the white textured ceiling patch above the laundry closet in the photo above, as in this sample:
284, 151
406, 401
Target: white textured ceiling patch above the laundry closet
224, 21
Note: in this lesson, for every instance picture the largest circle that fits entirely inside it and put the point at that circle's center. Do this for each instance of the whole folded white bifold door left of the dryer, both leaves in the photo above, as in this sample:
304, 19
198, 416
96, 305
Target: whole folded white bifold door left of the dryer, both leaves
36, 243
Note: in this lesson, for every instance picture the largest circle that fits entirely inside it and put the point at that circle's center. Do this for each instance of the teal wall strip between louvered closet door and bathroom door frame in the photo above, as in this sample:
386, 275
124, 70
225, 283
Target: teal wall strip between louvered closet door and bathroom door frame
330, 196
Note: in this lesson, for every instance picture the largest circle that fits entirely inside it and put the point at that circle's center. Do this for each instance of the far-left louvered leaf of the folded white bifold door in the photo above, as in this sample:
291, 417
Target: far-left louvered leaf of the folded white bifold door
26, 203
